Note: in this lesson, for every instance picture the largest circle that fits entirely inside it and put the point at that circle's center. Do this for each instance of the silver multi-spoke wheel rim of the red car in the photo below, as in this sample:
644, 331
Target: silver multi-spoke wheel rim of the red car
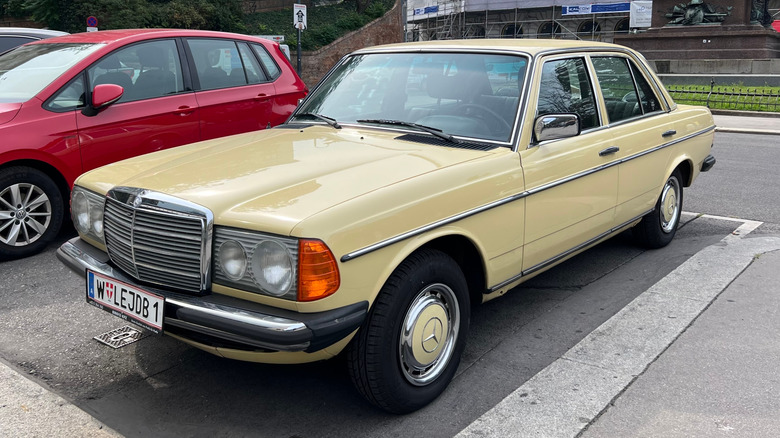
25, 214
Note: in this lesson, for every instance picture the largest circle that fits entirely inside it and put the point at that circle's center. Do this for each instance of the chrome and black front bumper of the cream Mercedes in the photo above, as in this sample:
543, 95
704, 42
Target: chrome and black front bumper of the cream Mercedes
222, 321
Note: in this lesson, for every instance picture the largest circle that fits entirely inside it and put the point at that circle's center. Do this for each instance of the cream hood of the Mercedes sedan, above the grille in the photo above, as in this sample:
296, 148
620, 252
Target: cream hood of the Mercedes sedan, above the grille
272, 180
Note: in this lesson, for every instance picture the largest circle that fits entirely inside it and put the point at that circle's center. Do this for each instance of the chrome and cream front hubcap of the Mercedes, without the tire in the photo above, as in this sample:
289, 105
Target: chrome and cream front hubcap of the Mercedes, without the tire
428, 334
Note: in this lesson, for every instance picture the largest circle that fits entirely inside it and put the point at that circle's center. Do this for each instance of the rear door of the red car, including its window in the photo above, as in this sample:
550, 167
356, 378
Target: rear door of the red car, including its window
233, 91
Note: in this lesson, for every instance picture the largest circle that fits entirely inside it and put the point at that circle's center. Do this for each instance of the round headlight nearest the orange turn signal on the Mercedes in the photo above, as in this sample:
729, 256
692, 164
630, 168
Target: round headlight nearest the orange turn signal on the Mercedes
272, 267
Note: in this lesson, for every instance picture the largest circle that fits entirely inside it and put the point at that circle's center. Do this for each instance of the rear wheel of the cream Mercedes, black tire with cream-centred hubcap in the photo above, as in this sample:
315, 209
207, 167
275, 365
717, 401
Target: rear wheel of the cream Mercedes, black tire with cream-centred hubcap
658, 227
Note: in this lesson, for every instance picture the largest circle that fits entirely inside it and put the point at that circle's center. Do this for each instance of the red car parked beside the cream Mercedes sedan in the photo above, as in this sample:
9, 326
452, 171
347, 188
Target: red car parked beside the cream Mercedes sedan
76, 102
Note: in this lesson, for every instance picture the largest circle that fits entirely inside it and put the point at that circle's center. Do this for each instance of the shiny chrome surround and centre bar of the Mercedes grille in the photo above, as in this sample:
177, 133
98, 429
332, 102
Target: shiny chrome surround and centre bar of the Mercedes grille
149, 200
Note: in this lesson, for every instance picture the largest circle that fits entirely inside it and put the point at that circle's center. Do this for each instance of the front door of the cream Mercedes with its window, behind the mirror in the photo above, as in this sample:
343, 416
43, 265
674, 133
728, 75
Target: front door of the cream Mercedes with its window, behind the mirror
573, 181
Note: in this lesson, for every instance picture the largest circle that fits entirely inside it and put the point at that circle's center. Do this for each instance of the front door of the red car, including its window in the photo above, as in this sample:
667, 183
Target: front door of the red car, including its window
154, 113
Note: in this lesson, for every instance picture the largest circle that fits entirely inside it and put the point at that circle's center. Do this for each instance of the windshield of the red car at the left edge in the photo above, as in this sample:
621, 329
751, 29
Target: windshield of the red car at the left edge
27, 70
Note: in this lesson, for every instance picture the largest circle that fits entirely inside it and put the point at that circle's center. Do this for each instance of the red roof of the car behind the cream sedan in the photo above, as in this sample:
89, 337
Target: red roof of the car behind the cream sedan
130, 35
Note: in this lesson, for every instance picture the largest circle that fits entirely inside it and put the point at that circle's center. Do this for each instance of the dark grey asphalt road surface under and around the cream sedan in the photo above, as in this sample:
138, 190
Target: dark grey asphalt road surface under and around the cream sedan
159, 387
